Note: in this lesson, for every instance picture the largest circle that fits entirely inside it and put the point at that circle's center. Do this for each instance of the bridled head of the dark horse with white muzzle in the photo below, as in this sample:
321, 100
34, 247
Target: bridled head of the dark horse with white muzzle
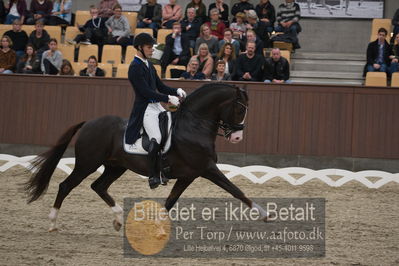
233, 116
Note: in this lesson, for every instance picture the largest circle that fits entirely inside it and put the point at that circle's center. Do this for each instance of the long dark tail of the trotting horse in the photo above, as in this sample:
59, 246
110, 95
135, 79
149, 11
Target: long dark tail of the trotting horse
45, 164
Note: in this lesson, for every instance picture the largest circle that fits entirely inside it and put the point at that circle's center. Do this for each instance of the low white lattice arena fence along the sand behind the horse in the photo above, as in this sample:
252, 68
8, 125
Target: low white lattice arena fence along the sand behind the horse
258, 174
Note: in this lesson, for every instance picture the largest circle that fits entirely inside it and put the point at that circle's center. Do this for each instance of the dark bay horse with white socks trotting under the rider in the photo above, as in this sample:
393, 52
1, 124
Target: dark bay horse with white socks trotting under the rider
192, 154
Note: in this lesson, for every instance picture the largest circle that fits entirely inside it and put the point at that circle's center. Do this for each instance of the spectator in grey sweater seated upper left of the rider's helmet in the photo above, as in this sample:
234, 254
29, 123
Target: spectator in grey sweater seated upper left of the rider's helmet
118, 28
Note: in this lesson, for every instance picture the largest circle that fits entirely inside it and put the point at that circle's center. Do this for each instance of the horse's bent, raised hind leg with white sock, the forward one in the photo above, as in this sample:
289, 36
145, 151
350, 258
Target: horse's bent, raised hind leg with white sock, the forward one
101, 185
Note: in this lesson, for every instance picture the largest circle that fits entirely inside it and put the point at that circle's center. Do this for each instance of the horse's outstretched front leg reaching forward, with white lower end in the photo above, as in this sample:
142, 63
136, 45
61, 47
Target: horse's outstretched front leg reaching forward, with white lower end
218, 178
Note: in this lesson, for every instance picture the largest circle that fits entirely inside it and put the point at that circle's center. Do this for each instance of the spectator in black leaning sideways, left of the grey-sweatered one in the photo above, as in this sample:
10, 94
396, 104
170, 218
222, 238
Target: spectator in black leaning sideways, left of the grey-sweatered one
94, 30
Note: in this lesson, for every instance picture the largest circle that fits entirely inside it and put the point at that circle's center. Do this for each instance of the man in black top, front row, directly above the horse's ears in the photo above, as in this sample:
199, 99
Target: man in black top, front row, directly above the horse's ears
248, 66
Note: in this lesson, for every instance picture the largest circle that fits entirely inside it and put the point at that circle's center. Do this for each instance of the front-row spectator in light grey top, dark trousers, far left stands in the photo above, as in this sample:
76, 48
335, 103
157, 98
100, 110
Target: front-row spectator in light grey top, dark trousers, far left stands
51, 59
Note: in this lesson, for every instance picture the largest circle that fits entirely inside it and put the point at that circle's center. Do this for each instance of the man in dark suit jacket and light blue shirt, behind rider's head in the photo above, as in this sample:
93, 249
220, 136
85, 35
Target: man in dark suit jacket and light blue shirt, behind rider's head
177, 48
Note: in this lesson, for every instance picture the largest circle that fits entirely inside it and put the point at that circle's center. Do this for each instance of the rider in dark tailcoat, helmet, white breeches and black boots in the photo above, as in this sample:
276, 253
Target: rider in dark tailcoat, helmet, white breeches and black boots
149, 91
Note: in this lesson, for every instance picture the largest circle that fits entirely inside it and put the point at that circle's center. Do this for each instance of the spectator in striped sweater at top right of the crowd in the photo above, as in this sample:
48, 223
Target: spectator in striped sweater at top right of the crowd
288, 15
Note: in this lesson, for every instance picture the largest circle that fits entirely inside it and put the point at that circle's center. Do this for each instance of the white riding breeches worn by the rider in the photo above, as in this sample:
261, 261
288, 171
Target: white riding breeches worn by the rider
151, 121
